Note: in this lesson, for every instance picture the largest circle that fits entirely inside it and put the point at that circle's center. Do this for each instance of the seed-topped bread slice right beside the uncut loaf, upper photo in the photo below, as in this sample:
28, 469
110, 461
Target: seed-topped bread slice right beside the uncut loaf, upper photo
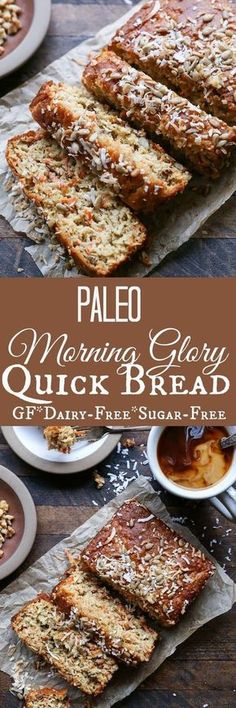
204, 141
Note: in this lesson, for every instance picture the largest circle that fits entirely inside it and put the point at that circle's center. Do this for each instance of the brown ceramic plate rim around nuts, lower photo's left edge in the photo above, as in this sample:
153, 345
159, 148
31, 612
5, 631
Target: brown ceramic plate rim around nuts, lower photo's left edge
21, 504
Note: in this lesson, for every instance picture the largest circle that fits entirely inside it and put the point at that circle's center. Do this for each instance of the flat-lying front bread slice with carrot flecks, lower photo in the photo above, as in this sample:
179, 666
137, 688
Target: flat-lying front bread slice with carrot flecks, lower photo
46, 631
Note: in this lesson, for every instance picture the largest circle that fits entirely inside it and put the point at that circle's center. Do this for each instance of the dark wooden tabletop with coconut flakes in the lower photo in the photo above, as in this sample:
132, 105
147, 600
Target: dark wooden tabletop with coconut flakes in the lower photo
202, 672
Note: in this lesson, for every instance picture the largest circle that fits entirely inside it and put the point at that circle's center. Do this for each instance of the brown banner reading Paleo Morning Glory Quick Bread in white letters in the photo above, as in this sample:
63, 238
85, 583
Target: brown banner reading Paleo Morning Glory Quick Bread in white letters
138, 352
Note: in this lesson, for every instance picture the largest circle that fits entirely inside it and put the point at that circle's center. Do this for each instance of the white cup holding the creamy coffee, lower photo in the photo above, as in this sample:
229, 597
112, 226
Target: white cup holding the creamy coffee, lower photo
212, 491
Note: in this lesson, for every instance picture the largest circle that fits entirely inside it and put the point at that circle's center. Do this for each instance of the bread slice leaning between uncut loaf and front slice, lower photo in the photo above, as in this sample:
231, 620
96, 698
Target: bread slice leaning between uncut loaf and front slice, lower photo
109, 622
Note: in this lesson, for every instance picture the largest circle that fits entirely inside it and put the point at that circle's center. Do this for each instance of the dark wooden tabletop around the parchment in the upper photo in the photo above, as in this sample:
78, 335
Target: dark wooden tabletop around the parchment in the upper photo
212, 250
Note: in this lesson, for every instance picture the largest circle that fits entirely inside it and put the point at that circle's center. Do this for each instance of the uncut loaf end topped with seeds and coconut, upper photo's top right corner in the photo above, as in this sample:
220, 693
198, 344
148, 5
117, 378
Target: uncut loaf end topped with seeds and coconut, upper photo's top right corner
187, 46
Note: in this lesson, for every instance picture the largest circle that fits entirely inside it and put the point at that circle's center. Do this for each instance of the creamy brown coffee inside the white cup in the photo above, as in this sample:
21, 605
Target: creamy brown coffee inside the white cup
194, 460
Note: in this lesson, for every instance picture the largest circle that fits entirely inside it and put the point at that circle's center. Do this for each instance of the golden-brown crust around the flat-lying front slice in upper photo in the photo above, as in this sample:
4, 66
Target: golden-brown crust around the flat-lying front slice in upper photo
88, 262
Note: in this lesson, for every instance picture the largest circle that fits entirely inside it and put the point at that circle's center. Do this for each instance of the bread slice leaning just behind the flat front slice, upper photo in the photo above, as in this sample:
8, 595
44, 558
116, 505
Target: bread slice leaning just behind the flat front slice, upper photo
139, 171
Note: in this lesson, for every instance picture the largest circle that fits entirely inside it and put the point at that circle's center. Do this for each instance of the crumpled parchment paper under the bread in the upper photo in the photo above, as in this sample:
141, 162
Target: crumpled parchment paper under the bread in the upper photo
171, 226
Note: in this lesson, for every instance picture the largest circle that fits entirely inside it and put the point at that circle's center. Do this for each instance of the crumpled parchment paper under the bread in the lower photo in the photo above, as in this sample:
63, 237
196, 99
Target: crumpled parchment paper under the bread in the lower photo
217, 598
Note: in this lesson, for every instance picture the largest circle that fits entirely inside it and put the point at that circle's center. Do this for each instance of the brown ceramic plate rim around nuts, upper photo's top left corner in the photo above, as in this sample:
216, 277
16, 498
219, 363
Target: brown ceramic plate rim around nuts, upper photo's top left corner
20, 47
